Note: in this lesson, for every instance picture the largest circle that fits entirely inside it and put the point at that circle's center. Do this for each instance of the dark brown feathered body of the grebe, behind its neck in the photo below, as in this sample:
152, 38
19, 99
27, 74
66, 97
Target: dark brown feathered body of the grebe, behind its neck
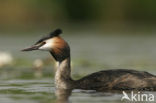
118, 79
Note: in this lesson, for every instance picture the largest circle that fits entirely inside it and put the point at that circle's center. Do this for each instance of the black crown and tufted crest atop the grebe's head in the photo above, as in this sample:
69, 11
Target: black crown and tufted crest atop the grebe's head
56, 32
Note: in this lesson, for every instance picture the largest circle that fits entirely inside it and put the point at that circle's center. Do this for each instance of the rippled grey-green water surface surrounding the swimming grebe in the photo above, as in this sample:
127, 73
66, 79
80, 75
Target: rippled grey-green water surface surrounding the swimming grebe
19, 85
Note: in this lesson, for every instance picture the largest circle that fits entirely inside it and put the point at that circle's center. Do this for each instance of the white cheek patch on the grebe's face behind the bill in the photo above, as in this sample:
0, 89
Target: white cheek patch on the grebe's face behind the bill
48, 46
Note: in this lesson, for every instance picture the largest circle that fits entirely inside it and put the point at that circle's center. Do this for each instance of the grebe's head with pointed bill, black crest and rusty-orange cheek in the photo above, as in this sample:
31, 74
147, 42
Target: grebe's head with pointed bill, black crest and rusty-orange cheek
54, 44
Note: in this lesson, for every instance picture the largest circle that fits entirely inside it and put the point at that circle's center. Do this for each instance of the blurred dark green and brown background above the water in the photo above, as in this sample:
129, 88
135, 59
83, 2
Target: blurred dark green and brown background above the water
34, 15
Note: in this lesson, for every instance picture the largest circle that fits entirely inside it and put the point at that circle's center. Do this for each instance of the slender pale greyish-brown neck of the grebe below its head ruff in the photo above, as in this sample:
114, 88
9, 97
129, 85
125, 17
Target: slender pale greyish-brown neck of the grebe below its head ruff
62, 75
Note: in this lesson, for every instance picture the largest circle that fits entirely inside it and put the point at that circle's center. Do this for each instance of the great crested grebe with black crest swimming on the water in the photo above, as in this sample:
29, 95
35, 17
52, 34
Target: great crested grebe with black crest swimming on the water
117, 79
